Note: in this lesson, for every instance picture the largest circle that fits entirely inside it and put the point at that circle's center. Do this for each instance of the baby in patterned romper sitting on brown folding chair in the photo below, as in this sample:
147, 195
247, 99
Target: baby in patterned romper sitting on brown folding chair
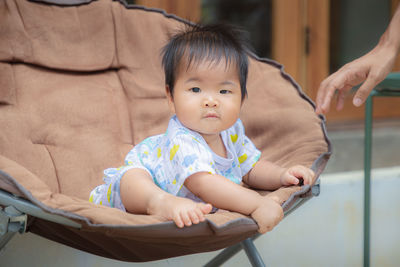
204, 156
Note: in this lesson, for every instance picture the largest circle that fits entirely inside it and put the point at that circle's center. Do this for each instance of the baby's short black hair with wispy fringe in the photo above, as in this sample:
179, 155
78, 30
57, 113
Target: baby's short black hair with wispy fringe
207, 42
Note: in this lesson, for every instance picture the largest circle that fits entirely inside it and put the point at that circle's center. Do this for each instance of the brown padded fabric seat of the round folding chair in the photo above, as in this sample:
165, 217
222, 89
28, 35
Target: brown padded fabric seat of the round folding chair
79, 86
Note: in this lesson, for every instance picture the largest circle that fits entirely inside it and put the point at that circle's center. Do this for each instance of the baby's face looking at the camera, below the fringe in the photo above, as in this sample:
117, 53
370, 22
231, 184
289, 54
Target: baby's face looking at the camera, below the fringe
207, 97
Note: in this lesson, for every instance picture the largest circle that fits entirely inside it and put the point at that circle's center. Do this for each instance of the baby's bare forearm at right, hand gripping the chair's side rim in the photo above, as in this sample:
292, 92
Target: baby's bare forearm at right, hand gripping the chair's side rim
269, 176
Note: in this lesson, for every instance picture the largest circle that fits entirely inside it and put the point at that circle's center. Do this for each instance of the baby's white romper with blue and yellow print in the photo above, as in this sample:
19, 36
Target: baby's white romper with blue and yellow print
172, 157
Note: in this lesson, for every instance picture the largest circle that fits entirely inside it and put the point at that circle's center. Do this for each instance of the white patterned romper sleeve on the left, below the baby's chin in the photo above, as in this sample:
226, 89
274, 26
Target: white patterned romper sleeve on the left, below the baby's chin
185, 155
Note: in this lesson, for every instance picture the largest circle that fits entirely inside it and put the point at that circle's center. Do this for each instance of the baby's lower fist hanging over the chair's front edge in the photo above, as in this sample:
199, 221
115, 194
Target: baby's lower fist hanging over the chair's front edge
267, 215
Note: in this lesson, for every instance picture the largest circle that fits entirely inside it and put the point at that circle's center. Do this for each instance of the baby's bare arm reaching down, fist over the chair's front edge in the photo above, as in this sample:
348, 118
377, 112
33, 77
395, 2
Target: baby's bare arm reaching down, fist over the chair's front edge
223, 193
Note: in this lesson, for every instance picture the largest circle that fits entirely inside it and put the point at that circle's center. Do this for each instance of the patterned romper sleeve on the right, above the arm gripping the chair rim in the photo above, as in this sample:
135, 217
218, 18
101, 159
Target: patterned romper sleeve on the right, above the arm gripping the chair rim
246, 151
